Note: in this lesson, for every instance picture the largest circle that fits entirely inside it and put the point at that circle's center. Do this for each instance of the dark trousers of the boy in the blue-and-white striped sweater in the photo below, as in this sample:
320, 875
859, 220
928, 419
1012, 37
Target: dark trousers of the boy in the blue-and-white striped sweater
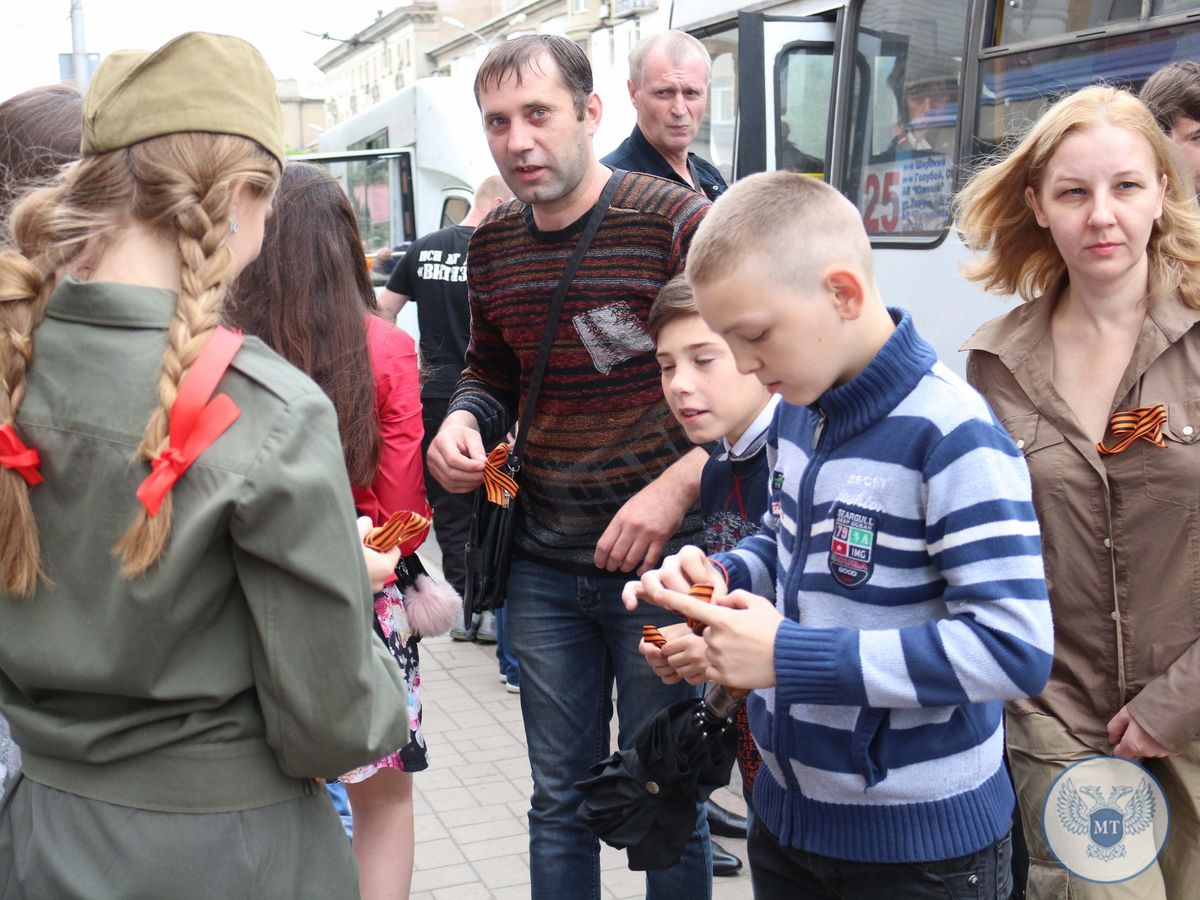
789, 874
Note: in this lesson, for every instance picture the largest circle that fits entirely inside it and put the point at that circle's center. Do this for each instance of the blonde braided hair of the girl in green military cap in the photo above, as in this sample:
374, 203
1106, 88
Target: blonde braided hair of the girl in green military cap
179, 185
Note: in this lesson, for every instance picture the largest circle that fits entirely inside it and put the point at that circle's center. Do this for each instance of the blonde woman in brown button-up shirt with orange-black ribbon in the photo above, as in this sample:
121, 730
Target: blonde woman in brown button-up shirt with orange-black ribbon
1091, 220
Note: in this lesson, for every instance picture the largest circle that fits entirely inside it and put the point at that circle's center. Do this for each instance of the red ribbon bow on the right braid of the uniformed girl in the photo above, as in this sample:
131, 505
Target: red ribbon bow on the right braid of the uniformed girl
196, 422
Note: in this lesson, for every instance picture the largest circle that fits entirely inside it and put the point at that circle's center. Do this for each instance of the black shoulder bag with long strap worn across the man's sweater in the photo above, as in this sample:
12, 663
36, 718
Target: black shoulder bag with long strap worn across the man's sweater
494, 518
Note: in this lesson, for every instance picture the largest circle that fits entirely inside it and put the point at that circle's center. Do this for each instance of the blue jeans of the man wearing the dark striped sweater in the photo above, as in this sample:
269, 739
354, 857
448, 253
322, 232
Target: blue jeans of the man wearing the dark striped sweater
573, 637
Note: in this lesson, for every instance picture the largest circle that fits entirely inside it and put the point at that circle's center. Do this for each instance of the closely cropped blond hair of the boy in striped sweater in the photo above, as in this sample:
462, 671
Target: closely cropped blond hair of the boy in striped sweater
794, 226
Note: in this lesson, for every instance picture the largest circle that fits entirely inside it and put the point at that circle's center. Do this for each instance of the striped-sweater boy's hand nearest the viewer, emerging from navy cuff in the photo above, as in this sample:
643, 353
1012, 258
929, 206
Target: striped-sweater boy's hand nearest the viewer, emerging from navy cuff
740, 637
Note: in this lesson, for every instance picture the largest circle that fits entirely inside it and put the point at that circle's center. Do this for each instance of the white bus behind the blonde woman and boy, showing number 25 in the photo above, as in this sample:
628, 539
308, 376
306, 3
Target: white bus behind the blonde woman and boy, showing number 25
895, 101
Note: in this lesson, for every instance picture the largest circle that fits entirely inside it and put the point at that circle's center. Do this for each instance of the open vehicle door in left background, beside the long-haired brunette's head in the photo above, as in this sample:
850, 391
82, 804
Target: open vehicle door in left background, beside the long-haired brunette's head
380, 184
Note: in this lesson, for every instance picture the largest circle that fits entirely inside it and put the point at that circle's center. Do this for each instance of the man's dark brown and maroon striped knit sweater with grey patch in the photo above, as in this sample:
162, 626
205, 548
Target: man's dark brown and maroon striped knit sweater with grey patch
602, 430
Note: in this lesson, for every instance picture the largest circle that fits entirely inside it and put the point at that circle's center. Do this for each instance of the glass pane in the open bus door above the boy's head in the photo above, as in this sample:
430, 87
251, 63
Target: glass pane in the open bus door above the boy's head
803, 89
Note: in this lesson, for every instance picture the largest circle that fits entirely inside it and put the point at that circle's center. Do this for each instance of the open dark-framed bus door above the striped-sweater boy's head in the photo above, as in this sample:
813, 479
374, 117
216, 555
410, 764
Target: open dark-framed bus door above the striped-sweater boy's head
785, 81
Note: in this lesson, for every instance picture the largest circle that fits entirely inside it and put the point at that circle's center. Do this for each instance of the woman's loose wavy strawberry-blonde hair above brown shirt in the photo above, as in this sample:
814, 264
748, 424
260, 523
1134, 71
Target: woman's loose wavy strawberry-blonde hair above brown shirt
1021, 257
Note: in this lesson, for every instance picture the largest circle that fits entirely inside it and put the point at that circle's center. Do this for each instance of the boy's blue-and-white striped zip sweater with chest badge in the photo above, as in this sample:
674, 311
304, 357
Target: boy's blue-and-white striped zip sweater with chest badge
902, 548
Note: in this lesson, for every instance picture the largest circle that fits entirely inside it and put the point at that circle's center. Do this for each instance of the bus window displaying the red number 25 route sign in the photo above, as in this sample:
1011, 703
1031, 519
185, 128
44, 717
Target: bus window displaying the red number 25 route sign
904, 116
